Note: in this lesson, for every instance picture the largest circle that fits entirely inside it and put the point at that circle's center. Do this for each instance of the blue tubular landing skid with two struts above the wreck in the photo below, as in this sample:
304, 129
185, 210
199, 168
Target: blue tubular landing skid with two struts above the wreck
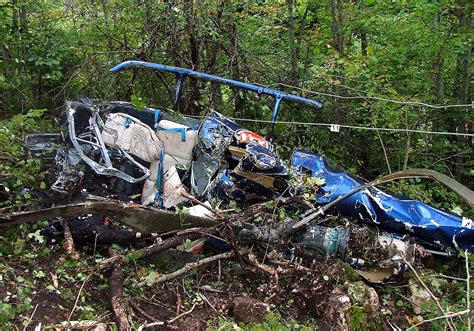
182, 72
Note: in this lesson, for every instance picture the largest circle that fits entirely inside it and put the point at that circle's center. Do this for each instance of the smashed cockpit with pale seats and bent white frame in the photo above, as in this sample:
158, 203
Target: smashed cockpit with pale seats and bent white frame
120, 146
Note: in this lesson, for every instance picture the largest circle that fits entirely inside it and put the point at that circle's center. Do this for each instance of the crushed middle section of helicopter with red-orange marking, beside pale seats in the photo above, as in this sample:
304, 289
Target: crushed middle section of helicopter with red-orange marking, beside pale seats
235, 164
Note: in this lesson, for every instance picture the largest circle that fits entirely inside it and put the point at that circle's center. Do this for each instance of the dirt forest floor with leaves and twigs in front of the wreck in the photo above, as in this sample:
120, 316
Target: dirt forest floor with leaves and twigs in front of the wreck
43, 285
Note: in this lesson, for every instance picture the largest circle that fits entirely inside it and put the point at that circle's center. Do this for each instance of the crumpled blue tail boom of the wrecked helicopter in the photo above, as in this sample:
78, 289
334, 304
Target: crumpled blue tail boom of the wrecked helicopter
392, 213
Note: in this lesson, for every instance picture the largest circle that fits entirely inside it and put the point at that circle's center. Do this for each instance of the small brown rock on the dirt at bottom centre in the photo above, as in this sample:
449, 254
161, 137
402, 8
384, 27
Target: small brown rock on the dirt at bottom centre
249, 310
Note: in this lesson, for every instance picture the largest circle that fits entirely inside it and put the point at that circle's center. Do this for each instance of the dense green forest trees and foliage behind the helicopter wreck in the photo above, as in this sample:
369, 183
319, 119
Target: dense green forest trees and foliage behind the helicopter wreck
388, 64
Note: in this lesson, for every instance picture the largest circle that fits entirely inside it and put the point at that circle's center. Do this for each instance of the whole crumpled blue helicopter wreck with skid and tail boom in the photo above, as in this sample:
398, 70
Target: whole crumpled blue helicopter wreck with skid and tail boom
174, 172
